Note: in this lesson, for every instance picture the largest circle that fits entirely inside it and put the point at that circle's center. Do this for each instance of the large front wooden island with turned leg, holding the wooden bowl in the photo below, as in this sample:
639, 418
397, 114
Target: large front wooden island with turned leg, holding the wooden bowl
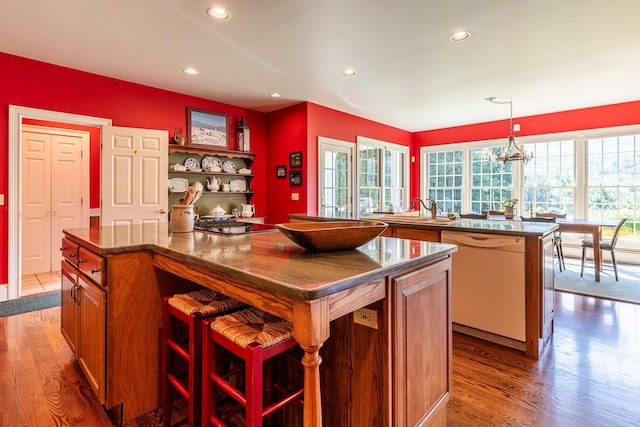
395, 371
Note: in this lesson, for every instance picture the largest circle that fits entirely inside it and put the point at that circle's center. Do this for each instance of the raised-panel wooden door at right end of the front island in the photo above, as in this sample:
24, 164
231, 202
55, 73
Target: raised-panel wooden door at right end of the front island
422, 343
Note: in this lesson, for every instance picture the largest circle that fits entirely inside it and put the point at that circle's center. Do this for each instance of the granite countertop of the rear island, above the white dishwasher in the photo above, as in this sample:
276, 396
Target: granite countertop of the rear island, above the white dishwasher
488, 226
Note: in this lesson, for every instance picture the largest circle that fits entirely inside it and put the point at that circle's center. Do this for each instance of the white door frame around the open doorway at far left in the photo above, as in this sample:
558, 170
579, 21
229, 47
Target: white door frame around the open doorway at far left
16, 114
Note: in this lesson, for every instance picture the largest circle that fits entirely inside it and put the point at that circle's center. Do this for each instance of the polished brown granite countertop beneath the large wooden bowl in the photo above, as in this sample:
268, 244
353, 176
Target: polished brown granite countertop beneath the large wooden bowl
269, 259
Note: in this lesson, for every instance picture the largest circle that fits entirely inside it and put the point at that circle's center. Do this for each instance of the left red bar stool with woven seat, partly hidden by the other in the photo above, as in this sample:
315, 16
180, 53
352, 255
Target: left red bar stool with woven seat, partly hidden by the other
182, 312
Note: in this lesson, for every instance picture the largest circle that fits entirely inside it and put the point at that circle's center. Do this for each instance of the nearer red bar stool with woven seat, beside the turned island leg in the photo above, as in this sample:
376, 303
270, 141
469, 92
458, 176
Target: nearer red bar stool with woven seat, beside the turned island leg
254, 336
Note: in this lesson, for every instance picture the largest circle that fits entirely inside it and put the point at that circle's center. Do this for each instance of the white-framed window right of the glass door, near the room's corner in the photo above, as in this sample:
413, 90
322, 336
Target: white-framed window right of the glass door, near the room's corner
383, 175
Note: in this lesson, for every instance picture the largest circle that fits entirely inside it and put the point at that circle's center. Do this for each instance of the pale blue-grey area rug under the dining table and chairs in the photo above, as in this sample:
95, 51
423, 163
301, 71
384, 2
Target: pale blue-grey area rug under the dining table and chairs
626, 289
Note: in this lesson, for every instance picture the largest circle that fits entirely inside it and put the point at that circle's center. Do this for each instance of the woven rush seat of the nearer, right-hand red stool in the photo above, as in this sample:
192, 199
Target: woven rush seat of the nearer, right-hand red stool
253, 326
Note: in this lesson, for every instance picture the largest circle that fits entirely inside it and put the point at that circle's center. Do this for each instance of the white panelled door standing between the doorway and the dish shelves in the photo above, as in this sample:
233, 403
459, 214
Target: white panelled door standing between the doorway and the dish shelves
134, 176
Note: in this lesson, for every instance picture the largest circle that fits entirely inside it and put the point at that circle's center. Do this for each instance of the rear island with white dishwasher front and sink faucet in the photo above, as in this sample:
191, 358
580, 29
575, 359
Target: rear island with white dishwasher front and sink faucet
503, 275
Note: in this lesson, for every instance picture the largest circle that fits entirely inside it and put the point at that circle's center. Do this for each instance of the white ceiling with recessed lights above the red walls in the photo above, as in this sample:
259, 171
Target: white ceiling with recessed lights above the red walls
548, 55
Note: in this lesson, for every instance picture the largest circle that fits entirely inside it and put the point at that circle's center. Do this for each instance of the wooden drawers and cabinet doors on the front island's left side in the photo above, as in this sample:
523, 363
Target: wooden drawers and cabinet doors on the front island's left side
83, 312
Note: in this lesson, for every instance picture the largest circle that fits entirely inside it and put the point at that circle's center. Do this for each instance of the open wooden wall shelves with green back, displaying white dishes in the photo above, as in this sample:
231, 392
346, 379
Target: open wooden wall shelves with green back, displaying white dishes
228, 200
